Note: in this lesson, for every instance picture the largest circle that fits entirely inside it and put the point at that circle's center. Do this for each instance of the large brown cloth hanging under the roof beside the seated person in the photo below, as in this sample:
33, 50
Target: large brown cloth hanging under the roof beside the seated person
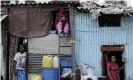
30, 22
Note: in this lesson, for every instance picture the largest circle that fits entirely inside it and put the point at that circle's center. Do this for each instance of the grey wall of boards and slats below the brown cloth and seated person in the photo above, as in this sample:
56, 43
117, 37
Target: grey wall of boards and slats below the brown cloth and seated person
48, 45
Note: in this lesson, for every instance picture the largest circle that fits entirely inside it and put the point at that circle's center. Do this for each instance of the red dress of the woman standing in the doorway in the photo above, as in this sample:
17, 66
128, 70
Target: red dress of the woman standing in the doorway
113, 69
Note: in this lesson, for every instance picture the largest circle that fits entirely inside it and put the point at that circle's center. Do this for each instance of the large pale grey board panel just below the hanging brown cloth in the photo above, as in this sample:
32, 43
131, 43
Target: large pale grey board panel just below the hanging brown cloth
44, 45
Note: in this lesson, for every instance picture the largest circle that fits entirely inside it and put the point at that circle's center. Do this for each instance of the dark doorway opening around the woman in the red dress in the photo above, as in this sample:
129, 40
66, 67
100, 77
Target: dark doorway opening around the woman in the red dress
106, 57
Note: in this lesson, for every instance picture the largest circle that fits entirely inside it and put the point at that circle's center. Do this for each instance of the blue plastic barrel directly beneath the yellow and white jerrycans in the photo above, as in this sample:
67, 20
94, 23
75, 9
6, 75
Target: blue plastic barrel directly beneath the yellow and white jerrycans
50, 74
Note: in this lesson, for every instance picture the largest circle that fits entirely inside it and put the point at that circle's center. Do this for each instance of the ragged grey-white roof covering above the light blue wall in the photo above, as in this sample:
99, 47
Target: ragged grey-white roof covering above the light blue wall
96, 8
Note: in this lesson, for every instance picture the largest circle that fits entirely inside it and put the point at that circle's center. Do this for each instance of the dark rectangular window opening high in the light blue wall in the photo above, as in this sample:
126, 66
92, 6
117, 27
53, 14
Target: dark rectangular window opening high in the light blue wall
111, 20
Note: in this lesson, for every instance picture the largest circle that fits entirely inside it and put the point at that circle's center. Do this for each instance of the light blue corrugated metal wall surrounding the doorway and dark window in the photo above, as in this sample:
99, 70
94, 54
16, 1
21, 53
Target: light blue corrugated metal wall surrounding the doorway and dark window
90, 37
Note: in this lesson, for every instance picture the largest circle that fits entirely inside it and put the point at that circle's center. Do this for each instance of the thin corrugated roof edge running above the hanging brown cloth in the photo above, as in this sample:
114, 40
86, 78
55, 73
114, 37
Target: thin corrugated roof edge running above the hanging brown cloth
8, 3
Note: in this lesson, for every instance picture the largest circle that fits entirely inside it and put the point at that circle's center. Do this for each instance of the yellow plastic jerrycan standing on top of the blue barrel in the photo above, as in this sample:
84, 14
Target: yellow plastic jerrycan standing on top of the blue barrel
47, 61
